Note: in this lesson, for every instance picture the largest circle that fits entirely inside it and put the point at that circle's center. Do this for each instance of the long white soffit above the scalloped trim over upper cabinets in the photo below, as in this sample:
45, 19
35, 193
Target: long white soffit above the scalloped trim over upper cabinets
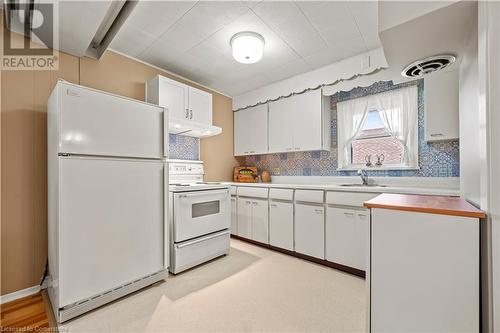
343, 69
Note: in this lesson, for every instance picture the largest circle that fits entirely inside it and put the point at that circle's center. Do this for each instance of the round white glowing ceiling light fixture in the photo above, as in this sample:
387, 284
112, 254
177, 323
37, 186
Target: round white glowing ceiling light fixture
248, 47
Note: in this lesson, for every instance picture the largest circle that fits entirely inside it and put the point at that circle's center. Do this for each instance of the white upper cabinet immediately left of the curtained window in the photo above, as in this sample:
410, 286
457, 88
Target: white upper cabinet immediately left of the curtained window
299, 123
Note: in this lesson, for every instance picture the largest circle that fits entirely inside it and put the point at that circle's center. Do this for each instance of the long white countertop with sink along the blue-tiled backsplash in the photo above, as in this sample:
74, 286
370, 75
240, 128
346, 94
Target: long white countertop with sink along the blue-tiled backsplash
403, 185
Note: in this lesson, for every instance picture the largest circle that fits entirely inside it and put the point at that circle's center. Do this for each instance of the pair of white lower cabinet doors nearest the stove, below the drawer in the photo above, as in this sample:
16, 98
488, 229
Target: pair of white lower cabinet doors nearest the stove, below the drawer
253, 221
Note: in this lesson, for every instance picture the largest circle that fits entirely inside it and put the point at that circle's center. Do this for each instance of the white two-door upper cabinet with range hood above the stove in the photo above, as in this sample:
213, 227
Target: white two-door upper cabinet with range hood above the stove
190, 109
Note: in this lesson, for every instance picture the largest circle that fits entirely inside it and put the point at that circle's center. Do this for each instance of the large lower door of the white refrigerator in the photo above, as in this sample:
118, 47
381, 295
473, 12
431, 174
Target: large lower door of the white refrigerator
112, 228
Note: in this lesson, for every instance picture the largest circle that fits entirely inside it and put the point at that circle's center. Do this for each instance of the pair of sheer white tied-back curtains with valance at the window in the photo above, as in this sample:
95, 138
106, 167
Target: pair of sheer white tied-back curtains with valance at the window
398, 110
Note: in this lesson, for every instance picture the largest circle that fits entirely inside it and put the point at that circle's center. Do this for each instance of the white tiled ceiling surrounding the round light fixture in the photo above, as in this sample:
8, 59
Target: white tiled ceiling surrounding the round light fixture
192, 38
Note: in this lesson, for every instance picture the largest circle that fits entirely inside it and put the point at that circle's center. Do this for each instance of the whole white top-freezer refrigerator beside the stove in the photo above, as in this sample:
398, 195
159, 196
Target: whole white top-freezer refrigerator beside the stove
107, 197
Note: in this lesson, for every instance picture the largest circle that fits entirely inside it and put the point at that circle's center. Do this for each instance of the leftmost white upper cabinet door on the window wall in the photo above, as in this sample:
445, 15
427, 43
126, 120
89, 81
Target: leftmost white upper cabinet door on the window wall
250, 131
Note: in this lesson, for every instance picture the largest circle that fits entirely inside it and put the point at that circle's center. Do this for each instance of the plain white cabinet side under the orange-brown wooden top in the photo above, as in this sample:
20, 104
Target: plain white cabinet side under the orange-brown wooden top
424, 274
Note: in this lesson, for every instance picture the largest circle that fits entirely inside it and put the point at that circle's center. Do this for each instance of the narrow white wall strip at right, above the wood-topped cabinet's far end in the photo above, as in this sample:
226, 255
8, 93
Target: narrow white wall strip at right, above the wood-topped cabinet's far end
470, 167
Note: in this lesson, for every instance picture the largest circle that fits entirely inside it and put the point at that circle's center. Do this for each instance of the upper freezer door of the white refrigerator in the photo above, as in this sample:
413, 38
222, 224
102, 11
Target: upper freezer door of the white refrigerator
97, 123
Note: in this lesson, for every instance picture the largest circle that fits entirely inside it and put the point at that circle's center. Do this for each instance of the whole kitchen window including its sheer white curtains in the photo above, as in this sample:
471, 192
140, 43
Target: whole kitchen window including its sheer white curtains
379, 127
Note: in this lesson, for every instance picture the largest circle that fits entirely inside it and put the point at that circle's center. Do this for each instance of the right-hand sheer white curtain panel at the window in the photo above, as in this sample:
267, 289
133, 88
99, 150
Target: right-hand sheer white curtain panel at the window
398, 110
